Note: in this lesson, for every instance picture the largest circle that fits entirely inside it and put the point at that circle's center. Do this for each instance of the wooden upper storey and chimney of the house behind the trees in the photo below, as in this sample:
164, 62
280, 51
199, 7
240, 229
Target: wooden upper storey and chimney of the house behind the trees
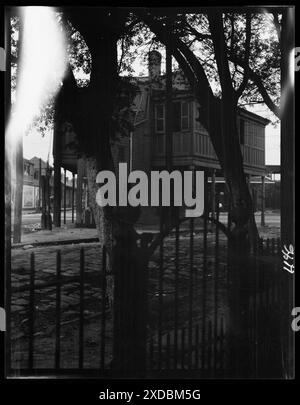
192, 147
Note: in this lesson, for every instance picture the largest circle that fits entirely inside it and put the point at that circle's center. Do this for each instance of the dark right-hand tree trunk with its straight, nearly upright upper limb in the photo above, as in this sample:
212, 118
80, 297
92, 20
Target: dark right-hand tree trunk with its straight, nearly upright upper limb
227, 143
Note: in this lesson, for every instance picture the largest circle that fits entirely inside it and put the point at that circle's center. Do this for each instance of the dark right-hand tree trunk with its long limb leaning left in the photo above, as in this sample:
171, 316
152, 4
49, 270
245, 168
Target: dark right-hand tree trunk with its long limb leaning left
219, 118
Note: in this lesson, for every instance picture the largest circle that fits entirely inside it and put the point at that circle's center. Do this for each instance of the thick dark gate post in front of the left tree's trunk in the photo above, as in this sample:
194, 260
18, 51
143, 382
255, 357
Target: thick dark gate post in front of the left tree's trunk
130, 300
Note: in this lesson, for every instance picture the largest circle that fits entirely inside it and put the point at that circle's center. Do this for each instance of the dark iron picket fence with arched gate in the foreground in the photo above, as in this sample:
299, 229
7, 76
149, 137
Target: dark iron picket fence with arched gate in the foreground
188, 315
